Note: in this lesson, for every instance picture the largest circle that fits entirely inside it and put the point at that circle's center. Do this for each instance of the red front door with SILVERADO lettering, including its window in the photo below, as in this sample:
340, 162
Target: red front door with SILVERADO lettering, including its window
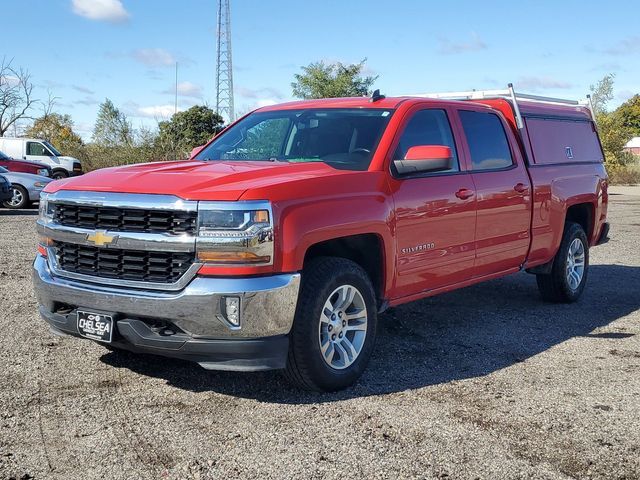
435, 212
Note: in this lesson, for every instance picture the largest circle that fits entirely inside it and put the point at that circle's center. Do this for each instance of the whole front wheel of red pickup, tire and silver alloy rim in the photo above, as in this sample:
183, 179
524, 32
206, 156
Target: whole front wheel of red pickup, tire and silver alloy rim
335, 326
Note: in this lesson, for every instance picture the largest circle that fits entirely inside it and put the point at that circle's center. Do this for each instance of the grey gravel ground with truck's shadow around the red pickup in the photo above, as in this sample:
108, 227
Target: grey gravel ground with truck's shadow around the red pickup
486, 382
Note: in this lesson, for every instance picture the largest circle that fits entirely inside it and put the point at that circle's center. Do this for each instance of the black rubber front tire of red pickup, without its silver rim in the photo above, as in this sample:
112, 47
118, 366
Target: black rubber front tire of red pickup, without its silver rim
306, 366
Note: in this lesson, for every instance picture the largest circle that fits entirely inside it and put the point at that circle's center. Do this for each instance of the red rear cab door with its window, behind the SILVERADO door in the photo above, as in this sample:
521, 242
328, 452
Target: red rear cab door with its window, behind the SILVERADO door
503, 191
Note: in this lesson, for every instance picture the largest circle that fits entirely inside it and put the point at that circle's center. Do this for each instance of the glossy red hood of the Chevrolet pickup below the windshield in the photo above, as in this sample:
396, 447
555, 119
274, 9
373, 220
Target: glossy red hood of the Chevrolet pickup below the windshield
194, 180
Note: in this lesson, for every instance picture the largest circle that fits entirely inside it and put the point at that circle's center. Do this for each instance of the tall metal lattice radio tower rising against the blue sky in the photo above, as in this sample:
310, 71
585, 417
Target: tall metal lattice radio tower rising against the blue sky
224, 69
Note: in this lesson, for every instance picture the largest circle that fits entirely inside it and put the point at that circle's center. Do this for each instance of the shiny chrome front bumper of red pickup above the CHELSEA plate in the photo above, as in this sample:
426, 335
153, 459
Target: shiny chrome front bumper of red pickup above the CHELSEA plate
267, 303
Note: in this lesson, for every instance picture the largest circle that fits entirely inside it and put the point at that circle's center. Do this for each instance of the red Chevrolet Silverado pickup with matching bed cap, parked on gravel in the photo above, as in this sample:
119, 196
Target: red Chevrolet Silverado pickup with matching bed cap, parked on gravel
281, 241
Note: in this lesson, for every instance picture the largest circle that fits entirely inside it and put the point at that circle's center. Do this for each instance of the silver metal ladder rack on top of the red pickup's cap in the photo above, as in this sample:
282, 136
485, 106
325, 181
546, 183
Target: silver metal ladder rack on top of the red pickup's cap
510, 94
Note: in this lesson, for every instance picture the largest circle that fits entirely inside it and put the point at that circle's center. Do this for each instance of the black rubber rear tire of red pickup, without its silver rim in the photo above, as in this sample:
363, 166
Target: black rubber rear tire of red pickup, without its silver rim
555, 287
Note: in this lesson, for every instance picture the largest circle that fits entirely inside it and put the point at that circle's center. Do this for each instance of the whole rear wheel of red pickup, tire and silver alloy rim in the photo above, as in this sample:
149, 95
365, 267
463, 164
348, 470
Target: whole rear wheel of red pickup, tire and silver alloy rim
570, 267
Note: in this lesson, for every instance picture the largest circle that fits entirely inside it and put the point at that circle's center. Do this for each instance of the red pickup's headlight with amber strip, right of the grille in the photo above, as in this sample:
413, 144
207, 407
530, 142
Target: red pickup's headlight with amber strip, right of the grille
238, 233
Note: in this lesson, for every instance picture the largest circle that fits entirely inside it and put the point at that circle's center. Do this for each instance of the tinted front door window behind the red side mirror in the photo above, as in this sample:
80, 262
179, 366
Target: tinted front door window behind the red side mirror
428, 127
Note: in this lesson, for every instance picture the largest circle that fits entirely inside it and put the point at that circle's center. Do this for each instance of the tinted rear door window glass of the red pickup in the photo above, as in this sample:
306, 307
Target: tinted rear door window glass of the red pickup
487, 140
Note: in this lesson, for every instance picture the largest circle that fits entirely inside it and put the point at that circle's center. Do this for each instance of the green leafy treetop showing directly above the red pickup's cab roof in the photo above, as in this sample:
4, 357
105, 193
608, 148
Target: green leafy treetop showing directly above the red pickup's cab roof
322, 80
